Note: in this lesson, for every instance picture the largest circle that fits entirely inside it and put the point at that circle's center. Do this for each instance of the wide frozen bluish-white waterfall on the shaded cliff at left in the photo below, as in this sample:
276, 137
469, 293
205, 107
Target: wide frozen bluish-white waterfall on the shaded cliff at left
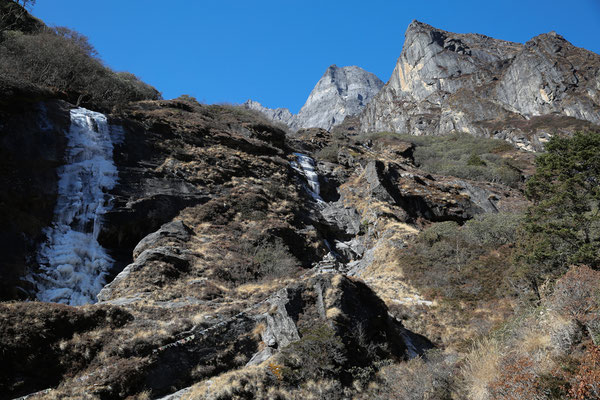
73, 265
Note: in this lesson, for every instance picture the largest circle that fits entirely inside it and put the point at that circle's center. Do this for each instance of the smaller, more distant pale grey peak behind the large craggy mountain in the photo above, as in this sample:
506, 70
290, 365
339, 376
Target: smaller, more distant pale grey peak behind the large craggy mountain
339, 93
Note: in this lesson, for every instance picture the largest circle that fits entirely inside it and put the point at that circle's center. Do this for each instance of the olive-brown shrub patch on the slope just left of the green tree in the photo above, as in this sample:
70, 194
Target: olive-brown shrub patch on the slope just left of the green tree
465, 263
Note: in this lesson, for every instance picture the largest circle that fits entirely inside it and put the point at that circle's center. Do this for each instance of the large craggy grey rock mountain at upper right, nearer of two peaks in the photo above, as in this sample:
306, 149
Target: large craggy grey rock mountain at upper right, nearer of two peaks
445, 82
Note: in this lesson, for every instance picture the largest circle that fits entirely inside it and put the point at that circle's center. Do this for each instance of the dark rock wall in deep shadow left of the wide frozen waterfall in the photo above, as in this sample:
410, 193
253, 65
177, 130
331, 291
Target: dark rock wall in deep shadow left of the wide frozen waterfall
32, 145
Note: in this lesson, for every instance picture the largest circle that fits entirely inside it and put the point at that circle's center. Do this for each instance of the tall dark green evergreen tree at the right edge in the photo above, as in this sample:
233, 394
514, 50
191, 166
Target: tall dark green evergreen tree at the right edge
562, 227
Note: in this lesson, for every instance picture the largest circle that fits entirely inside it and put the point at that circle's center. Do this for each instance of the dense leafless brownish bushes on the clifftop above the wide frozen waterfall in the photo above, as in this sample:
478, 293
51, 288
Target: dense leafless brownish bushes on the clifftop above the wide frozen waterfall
63, 60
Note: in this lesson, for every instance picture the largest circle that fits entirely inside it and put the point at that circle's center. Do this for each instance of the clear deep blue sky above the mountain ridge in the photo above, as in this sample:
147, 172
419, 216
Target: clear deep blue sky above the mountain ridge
274, 51
